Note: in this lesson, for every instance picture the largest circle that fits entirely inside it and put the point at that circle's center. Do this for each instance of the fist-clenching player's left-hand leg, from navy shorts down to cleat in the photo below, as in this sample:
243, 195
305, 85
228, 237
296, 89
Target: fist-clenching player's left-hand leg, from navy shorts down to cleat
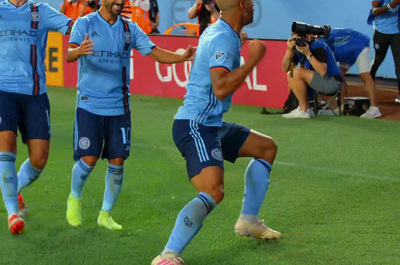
202, 150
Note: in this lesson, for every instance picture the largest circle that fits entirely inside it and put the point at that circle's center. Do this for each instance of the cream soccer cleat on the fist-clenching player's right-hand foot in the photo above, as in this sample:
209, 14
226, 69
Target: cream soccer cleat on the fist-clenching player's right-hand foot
257, 230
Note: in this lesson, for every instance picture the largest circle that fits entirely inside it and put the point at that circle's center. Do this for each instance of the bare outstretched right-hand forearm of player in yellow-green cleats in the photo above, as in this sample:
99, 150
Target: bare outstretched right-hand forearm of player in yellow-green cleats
165, 56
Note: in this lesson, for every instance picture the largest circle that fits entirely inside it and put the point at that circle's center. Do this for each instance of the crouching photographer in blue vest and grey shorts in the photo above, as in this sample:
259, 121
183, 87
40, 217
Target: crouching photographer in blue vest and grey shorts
317, 70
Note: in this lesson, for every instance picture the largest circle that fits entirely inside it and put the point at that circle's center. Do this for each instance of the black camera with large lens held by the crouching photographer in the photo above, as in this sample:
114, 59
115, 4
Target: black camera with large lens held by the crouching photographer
304, 29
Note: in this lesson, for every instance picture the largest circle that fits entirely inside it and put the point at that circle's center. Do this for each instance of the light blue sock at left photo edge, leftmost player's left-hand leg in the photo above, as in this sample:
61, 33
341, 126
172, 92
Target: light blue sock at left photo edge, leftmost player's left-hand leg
9, 182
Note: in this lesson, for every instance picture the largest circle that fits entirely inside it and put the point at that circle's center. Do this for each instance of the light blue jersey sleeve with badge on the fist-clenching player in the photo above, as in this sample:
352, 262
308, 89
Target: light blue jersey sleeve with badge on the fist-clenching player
221, 54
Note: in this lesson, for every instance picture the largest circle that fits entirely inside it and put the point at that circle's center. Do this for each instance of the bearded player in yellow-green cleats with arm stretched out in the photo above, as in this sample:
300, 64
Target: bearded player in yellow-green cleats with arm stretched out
102, 41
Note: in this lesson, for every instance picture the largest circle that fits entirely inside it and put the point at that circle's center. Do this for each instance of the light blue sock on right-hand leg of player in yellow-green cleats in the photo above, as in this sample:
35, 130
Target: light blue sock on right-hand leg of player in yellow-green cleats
114, 179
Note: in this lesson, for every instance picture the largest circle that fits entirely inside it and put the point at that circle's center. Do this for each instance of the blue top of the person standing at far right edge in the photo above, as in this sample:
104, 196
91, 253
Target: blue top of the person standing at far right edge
387, 23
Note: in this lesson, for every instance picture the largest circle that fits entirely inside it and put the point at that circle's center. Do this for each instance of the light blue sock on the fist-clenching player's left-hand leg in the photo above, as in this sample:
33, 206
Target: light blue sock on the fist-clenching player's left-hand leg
189, 222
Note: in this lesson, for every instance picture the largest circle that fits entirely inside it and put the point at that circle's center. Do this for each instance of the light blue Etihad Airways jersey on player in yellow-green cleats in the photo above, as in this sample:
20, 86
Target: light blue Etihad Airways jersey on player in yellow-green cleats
103, 77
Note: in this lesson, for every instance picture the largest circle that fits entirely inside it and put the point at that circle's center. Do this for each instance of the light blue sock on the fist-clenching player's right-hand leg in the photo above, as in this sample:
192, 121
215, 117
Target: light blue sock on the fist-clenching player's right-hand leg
256, 185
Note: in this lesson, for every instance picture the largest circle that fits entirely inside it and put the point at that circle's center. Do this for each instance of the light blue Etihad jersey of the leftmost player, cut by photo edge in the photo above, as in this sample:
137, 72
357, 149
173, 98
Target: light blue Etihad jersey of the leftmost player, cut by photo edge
23, 40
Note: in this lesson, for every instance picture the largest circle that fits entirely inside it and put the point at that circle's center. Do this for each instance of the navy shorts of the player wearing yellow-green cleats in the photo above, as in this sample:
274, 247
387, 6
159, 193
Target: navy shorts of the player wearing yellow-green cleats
101, 136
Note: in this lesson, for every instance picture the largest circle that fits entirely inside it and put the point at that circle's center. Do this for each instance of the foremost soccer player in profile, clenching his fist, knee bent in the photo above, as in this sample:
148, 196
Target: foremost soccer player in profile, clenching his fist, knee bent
205, 140
